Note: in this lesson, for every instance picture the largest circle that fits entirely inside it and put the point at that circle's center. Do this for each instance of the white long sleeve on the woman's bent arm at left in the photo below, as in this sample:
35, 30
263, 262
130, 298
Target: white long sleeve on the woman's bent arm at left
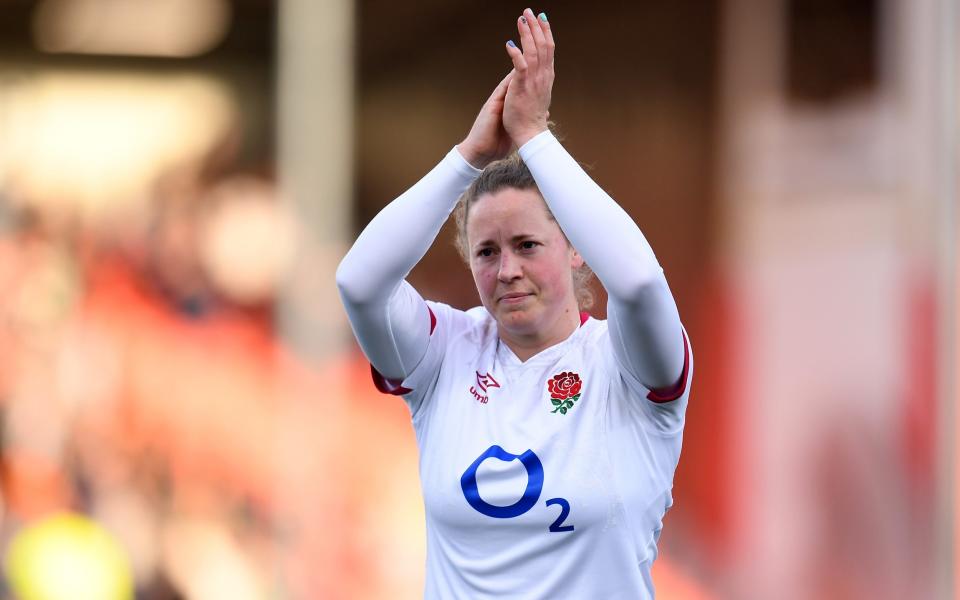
389, 318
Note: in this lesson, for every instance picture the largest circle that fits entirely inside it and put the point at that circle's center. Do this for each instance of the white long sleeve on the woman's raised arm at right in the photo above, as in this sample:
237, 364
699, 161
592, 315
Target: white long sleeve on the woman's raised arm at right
644, 324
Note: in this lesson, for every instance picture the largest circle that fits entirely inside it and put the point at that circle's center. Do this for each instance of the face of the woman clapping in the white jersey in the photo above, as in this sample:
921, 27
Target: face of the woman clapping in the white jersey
521, 262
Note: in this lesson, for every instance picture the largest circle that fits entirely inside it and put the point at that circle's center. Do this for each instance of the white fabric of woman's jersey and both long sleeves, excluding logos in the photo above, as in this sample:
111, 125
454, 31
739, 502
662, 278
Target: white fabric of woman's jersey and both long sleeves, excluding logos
612, 456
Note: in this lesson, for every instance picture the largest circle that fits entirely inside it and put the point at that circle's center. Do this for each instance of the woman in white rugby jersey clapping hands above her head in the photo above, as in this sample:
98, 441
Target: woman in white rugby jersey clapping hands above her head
548, 439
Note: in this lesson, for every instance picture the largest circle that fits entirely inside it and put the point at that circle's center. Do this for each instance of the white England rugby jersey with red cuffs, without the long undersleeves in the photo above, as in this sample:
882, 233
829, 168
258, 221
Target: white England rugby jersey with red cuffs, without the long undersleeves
541, 479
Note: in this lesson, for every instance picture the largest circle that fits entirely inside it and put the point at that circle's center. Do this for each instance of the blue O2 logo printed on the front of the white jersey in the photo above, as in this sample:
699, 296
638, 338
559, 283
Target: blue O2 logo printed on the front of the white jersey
468, 483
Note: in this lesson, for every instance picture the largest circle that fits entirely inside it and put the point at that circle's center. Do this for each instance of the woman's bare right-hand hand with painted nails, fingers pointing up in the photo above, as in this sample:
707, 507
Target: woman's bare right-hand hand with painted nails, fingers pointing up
527, 104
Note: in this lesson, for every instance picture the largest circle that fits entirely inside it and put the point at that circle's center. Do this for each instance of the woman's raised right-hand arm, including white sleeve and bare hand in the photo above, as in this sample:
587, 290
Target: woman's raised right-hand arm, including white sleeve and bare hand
644, 325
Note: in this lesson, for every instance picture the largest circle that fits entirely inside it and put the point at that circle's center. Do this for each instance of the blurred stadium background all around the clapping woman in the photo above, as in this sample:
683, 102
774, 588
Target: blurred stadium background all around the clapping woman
183, 413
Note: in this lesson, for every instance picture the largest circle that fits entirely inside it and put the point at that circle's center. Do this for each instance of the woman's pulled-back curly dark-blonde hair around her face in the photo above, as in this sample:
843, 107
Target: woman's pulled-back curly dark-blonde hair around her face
511, 172
